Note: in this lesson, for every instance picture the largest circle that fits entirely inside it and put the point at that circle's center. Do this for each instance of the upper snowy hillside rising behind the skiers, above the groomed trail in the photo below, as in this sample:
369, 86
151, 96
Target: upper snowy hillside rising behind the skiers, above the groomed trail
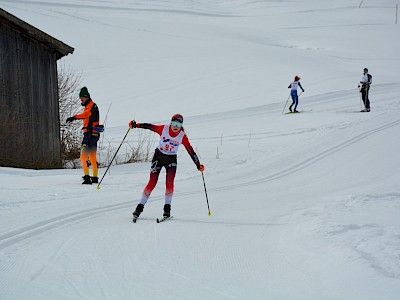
198, 57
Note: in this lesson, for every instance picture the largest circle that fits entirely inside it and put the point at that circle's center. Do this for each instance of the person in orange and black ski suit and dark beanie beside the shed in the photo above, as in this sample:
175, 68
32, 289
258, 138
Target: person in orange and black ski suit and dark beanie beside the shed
90, 117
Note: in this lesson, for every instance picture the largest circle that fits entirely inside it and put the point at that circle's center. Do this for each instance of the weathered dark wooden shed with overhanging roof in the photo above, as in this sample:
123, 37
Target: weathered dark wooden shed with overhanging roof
29, 108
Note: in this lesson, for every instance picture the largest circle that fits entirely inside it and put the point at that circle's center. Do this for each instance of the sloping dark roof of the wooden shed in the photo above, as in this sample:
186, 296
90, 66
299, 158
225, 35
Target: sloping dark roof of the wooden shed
35, 34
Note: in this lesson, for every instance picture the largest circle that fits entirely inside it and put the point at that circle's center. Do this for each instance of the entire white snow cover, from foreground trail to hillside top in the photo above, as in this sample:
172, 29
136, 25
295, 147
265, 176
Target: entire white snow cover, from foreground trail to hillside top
304, 206
